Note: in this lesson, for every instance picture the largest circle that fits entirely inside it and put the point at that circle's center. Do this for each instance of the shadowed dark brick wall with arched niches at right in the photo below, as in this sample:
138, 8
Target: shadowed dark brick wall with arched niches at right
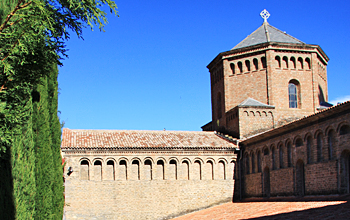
324, 172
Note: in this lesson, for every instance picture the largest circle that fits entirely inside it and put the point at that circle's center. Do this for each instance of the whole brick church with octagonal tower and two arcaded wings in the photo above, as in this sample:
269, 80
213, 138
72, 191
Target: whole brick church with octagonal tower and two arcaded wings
272, 133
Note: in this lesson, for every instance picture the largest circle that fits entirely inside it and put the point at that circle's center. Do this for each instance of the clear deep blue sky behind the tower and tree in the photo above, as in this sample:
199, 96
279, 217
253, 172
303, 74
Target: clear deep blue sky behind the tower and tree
148, 70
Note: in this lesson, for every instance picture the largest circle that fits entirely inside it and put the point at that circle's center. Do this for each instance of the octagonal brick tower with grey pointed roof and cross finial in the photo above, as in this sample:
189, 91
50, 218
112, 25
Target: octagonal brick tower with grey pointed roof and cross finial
268, 79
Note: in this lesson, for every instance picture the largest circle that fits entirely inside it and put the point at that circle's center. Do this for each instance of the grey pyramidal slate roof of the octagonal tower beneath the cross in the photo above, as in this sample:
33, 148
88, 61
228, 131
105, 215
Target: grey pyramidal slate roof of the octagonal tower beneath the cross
267, 33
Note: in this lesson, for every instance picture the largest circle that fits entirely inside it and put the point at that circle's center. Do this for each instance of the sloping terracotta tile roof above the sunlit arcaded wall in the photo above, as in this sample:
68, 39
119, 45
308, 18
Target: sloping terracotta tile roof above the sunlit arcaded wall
93, 139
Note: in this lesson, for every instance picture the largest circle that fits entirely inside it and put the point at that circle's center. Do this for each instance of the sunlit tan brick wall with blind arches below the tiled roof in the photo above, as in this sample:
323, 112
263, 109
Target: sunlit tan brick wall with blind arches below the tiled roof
142, 190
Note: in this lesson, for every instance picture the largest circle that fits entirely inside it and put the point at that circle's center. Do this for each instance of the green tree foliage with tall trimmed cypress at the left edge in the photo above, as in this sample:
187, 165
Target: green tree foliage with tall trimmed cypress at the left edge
32, 44
